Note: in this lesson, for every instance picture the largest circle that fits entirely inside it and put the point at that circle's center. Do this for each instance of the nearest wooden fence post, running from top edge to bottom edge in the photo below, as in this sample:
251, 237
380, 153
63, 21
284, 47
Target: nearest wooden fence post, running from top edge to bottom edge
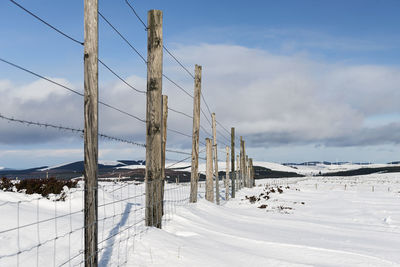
91, 129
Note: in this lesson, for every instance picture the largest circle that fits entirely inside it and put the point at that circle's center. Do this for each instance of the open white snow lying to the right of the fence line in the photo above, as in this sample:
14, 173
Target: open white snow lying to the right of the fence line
334, 227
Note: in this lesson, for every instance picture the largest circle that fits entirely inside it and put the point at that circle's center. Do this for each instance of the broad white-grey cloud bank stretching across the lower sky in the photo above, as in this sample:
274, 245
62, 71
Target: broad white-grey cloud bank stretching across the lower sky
272, 99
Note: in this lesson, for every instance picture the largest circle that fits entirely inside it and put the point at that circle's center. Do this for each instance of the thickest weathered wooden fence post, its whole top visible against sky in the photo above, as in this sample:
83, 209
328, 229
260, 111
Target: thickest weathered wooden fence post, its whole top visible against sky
153, 177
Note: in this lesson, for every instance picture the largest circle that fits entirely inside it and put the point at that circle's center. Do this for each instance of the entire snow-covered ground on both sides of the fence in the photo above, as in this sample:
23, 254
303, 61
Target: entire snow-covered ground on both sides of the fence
315, 221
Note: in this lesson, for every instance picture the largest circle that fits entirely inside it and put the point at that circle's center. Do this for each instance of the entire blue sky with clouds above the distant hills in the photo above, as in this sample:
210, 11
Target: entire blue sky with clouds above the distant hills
318, 79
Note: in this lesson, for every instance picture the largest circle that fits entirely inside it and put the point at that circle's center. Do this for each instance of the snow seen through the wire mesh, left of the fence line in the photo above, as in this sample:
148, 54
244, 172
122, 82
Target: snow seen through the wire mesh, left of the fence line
49, 231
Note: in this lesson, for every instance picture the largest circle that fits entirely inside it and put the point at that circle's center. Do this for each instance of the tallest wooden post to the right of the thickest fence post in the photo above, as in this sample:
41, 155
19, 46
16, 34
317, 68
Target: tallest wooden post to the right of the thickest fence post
194, 176
